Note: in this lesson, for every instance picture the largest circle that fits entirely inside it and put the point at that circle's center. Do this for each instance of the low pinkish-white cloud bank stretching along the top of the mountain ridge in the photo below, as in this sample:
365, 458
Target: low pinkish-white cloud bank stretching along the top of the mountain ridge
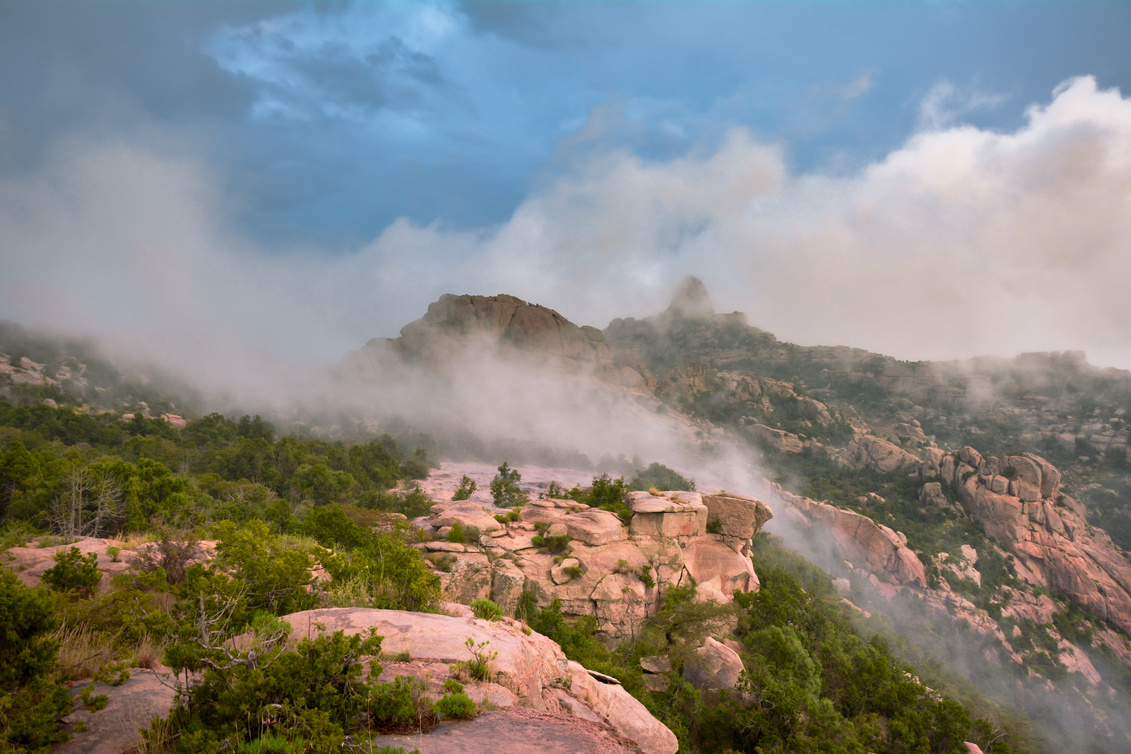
962, 242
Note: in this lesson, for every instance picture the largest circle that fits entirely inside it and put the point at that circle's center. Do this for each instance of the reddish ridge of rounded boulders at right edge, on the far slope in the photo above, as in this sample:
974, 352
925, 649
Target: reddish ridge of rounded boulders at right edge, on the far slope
1018, 501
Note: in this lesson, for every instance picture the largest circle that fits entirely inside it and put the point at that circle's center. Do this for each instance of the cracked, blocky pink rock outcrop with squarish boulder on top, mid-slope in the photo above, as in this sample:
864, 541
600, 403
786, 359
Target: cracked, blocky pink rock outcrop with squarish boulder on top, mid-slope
611, 570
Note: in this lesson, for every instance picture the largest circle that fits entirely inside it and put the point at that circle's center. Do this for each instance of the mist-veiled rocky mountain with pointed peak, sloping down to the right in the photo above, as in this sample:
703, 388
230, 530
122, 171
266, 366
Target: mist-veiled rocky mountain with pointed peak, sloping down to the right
979, 489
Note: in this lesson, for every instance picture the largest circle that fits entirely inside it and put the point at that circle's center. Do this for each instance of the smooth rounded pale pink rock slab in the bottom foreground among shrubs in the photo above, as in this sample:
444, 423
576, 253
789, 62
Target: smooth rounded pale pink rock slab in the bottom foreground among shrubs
532, 669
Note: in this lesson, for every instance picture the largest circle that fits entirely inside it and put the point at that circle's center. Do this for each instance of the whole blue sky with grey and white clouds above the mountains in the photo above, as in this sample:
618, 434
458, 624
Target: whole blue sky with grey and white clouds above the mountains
211, 180
